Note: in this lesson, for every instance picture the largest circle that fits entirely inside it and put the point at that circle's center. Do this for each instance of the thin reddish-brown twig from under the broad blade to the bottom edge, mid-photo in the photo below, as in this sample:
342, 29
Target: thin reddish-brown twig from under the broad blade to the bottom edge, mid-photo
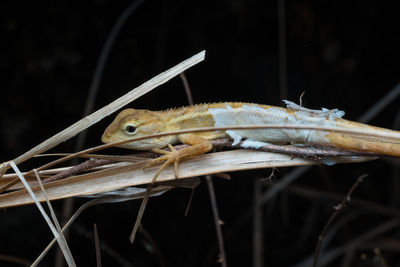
217, 220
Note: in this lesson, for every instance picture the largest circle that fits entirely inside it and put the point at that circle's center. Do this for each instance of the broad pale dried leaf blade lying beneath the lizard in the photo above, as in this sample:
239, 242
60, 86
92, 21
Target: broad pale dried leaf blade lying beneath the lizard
133, 174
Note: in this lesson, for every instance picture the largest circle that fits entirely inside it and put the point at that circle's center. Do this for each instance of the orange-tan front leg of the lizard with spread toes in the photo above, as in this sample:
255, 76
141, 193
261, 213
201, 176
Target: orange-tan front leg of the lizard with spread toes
198, 146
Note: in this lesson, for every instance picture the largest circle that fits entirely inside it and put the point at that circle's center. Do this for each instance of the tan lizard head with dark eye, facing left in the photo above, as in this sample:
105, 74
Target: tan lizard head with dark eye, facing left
131, 123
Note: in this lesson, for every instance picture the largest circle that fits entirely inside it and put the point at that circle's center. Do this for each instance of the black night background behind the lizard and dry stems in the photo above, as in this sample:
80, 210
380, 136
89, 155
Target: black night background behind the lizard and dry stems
344, 54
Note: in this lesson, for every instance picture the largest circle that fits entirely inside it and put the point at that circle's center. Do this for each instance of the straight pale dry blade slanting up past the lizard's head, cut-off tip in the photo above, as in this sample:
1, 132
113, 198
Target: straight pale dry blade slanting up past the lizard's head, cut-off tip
93, 118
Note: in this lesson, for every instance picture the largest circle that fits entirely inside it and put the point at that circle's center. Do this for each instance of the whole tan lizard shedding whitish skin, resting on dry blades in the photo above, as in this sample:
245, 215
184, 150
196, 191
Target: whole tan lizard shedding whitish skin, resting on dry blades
135, 123
